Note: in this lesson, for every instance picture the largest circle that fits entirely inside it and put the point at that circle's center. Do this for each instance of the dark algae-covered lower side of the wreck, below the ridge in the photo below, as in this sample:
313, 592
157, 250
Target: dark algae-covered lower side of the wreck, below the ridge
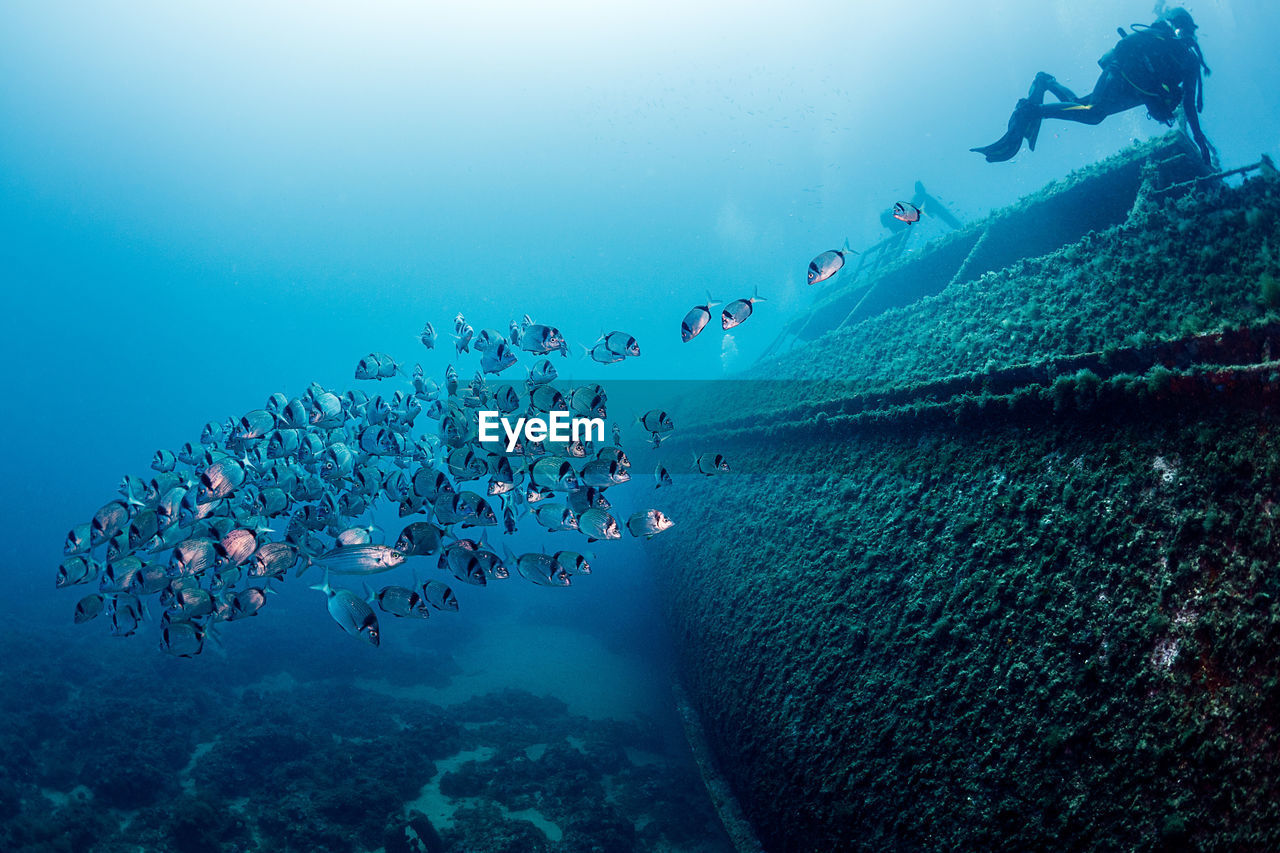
999, 638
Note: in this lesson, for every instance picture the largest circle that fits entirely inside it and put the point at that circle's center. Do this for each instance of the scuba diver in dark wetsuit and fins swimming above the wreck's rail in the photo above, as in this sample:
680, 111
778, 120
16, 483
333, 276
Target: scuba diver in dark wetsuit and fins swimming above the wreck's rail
1158, 67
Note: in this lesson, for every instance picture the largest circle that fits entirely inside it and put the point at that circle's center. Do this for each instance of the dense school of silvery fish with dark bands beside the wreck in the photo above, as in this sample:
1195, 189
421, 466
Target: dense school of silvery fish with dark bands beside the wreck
225, 521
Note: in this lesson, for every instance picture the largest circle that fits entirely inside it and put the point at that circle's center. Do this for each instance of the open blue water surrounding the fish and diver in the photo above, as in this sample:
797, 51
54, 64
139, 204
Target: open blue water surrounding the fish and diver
203, 204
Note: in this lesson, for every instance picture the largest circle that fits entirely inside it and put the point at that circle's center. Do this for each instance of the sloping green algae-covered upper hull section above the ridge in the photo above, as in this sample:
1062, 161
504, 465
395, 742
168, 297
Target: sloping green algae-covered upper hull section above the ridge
1181, 266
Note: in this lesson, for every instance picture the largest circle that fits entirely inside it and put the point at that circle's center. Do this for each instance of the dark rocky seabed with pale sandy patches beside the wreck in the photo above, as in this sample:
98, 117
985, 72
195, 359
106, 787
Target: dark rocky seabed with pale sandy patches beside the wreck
95, 759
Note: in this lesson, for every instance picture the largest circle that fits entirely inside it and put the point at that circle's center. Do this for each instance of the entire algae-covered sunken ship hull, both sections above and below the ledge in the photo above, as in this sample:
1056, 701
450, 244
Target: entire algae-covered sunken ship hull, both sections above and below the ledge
1000, 569
